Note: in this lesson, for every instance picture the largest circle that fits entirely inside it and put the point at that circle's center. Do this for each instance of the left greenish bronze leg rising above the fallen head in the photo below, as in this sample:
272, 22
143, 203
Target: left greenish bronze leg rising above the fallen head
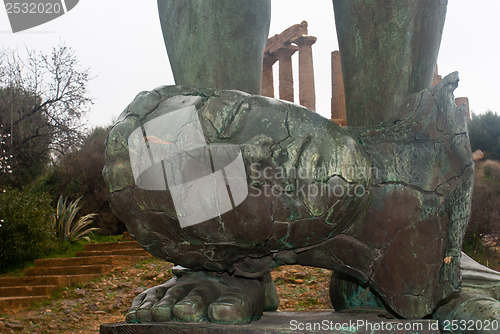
203, 49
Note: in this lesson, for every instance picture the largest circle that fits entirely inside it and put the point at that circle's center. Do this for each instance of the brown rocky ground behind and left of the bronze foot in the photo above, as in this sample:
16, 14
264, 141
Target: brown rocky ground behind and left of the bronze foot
82, 308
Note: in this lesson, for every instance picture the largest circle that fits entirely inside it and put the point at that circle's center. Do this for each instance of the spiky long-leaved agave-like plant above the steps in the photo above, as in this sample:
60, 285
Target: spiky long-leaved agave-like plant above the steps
65, 227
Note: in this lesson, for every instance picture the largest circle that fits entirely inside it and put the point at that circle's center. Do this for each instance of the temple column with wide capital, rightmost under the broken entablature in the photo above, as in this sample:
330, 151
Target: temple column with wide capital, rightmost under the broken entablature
307, 95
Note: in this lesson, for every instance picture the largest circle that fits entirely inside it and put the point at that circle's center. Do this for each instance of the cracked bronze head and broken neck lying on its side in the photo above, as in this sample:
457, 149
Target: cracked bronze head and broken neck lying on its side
394, 237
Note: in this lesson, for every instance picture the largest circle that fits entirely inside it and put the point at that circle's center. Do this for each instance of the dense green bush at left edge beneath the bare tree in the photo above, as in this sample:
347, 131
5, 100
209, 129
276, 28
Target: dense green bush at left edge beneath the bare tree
25, 232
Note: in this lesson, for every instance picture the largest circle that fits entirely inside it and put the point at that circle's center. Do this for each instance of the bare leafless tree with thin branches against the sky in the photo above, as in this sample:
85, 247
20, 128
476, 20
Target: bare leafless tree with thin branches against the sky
43, 101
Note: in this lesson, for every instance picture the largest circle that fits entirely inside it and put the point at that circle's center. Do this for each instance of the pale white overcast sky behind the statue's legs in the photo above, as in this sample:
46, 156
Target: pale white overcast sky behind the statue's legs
121, 43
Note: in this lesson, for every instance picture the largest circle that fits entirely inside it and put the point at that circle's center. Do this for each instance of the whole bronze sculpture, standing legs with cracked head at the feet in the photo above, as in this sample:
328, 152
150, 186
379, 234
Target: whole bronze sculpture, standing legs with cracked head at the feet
403, 170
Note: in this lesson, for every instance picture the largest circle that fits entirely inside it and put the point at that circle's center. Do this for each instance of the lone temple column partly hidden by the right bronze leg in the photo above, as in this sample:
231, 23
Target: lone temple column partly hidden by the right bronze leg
338, 94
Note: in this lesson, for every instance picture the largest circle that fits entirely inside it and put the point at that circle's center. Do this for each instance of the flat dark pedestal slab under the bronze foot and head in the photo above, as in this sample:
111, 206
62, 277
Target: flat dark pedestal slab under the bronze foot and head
325, 321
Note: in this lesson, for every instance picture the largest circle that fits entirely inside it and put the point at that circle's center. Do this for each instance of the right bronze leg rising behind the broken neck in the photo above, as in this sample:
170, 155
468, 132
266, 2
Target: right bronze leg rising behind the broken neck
387, 54
